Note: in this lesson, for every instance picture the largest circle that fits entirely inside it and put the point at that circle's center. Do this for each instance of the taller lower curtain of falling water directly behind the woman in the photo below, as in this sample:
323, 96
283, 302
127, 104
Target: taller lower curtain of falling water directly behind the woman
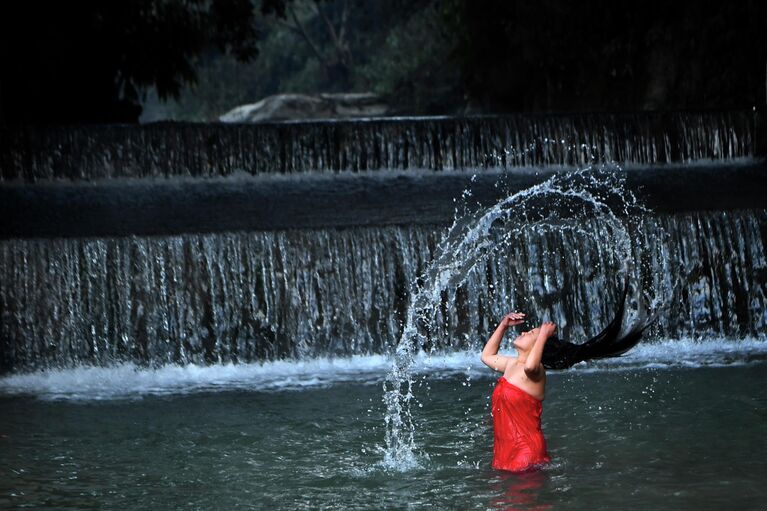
259, 295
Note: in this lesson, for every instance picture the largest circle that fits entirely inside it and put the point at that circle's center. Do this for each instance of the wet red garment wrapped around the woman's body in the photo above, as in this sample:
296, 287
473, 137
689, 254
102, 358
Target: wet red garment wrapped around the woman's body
518, 439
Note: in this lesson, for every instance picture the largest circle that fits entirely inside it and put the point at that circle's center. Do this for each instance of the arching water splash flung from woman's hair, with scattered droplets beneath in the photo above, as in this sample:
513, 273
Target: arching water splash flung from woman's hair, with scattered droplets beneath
558, 205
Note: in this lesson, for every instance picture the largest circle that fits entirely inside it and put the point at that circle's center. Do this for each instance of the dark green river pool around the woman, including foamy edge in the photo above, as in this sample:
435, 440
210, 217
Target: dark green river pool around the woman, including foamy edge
674, 425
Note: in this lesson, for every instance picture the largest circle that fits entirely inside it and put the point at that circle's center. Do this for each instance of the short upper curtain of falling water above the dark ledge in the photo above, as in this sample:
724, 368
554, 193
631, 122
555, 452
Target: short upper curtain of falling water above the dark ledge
214, 150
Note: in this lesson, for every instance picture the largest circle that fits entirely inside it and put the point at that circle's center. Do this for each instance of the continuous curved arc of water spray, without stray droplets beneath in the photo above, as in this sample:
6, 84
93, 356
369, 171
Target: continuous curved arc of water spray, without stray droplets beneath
464, 246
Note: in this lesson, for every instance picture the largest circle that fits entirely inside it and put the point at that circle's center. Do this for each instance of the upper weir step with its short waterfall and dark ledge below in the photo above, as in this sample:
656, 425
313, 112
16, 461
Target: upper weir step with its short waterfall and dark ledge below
168, 179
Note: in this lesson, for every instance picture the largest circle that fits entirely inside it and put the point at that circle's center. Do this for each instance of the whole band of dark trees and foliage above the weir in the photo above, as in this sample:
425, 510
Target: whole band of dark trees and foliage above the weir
88, 61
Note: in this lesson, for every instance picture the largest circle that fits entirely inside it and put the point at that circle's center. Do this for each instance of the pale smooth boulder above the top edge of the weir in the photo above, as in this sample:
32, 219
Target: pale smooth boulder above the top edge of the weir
302, 106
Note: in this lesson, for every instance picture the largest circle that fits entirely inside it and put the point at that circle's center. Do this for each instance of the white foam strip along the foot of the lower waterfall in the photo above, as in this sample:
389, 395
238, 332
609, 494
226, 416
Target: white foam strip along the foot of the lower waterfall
132, 382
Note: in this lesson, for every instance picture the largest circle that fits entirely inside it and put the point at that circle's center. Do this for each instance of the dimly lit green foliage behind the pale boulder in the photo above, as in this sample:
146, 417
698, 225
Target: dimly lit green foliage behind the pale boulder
399, 51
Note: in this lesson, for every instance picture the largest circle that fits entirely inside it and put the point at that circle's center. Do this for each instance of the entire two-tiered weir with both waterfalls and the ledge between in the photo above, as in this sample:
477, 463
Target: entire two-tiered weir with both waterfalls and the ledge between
181, 243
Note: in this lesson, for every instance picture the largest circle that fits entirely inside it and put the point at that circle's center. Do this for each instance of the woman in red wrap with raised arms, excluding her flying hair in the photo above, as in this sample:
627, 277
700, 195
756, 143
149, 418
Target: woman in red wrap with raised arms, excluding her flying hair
518, 444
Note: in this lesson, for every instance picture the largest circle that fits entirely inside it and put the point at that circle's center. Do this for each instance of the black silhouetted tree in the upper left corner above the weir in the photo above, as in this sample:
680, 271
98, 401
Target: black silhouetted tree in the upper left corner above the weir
87, 61
